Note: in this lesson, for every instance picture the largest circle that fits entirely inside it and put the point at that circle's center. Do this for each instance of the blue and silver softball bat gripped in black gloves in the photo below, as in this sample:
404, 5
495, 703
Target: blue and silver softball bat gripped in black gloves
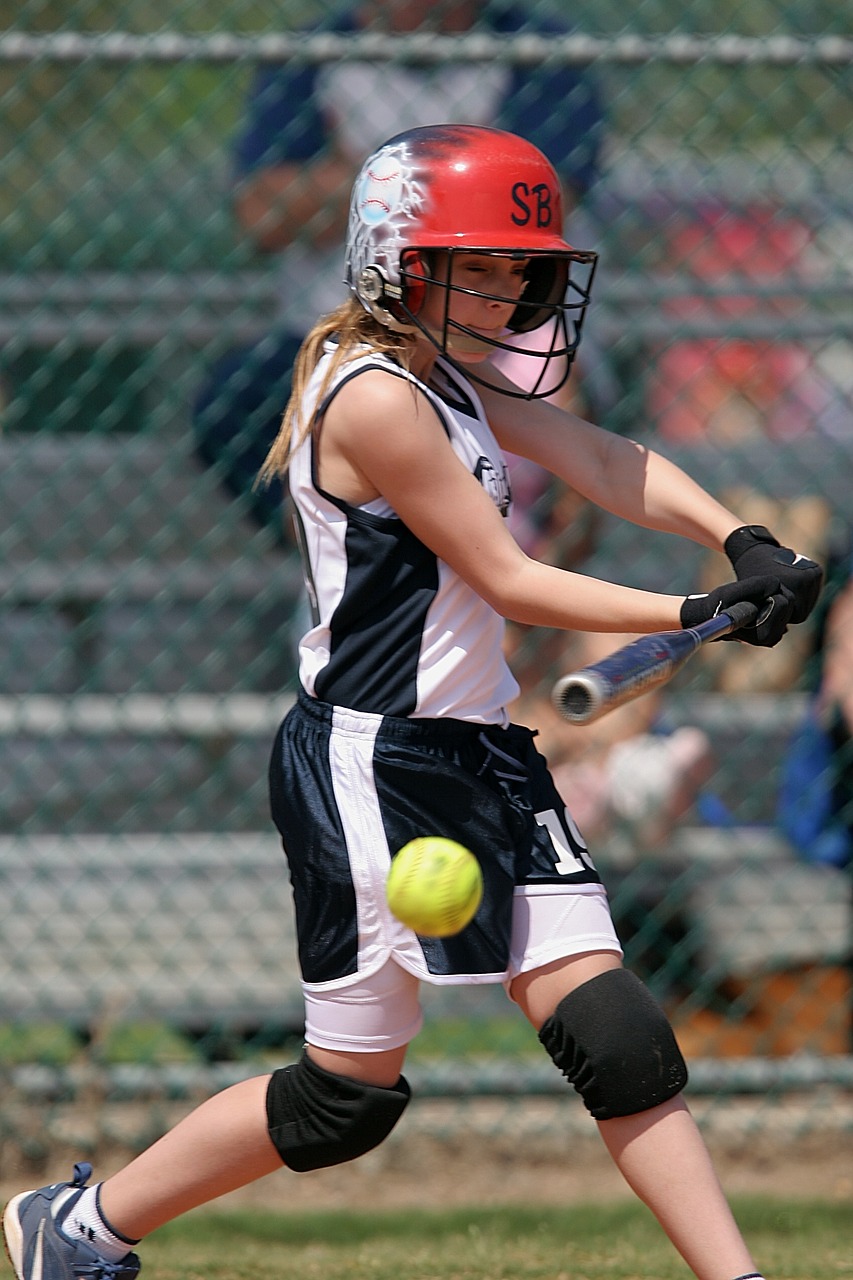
641, 666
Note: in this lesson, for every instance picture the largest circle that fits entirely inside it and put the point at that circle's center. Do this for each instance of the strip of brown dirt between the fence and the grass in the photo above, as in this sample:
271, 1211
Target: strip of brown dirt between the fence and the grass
495, 1151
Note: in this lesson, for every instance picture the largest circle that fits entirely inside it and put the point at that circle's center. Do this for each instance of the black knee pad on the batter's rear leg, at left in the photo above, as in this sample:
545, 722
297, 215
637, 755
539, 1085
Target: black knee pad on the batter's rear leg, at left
318, 1119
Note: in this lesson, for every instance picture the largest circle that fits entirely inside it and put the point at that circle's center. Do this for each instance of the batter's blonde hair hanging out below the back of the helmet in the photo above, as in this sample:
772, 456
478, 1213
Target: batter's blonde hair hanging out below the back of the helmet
354, 328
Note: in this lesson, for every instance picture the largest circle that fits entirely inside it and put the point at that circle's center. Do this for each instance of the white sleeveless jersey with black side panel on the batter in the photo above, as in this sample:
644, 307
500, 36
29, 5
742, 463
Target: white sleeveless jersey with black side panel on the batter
396, 632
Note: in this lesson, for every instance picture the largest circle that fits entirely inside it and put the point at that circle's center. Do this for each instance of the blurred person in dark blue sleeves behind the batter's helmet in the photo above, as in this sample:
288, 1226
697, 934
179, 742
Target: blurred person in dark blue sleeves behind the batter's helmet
305, 132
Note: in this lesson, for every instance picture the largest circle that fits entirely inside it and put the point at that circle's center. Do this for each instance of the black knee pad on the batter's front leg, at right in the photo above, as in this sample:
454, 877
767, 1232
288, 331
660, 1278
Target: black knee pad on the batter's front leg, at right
614, 1043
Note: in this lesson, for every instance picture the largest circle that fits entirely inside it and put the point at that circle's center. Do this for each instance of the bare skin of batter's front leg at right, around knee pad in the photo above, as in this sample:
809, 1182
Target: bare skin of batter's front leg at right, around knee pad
660, 1153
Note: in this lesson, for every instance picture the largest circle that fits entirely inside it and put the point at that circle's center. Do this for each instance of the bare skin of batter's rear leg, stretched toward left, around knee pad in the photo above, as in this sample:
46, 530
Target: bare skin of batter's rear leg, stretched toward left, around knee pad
221, 1146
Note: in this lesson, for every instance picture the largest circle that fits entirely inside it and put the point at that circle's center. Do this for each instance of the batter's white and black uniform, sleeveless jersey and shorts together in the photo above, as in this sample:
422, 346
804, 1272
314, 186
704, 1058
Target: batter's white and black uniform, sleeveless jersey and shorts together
400, 730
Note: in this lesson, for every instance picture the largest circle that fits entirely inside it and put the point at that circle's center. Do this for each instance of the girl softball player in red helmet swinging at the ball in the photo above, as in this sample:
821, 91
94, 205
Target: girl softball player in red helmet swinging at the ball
394, 440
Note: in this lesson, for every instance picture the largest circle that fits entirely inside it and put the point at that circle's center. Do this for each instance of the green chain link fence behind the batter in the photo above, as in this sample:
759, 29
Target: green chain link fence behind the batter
152, 600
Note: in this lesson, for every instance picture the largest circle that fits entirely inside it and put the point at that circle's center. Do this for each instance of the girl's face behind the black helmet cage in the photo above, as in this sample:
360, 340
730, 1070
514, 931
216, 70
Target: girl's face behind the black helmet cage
464, 307
